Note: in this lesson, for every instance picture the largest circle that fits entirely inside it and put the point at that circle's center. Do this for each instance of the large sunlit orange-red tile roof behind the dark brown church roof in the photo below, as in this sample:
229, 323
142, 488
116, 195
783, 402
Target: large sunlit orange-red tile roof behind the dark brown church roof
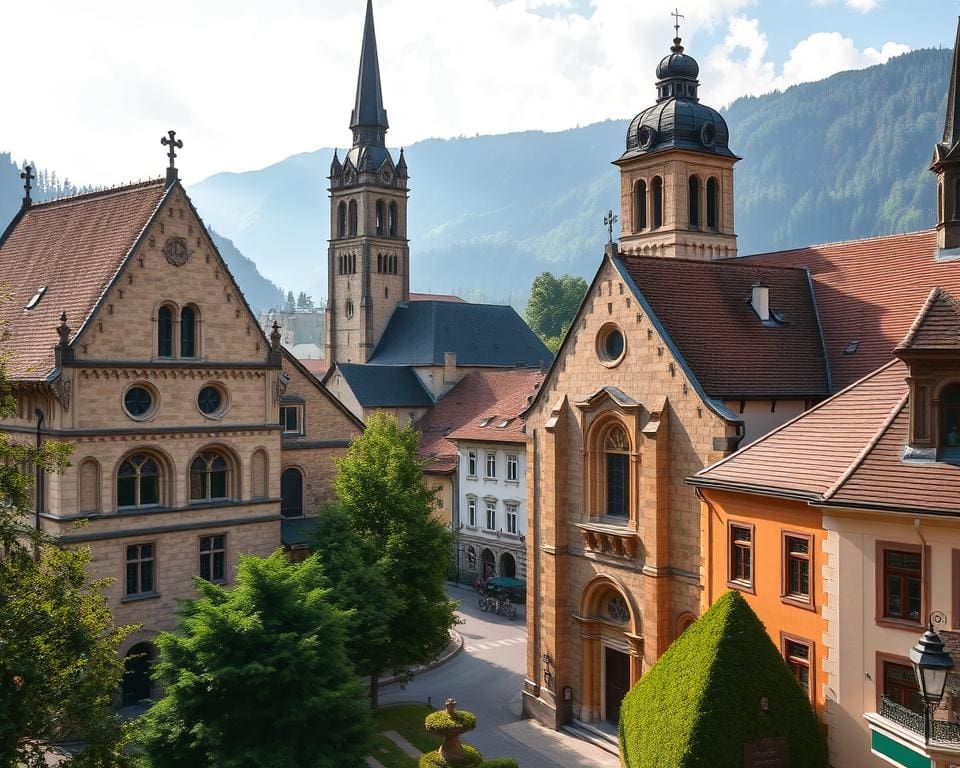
869, 291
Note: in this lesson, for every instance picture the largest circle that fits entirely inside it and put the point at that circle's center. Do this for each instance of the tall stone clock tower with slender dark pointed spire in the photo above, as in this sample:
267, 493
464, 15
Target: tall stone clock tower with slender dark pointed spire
368, 258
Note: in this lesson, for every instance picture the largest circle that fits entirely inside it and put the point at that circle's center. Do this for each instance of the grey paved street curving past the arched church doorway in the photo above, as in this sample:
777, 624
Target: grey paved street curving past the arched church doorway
486, 678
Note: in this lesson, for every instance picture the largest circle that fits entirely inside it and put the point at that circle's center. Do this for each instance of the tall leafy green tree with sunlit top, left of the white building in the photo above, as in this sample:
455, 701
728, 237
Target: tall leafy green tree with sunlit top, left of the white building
379, 487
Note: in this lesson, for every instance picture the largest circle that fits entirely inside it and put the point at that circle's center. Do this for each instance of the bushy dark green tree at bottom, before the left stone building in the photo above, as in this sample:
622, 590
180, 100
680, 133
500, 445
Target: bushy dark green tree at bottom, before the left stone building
258, 675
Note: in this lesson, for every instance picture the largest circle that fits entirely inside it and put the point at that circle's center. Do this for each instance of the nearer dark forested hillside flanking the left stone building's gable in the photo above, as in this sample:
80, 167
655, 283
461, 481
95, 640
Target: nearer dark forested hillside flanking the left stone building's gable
259, 292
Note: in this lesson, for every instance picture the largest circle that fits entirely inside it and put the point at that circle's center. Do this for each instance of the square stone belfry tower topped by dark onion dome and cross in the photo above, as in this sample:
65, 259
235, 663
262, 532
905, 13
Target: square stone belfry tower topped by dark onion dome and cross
676, 175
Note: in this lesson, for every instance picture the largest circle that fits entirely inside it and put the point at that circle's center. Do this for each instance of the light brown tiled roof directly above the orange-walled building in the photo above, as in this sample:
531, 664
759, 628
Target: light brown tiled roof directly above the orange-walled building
847, 452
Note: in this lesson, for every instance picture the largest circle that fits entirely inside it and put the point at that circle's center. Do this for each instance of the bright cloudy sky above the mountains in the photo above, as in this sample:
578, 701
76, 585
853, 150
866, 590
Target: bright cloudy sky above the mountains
89, 88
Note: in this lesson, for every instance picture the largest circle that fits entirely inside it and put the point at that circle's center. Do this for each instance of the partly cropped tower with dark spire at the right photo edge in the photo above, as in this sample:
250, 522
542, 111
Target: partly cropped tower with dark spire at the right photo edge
946, 163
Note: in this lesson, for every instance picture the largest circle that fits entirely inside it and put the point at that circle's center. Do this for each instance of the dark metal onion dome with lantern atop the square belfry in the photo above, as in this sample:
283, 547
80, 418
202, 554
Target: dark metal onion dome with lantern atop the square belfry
678, 120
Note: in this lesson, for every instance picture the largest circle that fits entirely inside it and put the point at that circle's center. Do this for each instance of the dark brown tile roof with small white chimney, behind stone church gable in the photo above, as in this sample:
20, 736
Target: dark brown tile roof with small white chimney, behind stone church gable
705, 309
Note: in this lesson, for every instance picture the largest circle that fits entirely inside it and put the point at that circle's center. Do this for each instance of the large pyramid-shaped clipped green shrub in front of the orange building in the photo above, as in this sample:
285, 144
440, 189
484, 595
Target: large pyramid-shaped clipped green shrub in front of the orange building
721, 685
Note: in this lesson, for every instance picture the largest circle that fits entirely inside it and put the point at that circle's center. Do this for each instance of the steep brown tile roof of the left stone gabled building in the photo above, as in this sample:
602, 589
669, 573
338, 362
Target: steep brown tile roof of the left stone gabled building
73, 247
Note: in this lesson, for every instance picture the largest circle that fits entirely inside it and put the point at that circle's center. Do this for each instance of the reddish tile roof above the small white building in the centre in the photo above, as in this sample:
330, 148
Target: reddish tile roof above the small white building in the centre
498, 395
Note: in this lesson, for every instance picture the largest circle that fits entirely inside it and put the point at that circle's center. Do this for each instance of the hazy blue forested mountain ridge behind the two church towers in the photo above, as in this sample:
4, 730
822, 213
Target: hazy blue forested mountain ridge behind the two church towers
843, 158
